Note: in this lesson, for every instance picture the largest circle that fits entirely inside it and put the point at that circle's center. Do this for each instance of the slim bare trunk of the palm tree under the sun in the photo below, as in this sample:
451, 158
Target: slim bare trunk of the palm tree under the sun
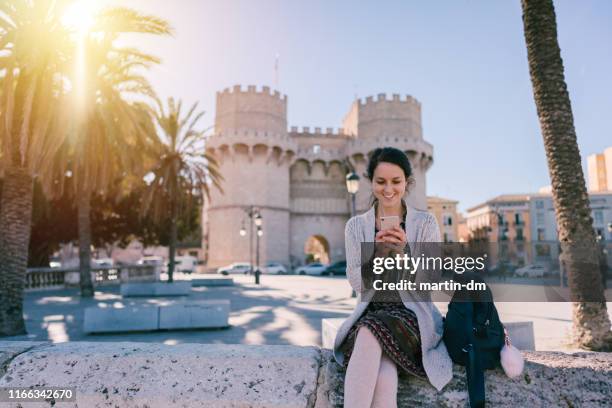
84, 212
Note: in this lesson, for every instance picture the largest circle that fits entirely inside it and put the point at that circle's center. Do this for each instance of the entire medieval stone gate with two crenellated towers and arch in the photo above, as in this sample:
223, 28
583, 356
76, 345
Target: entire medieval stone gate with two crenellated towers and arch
295, 177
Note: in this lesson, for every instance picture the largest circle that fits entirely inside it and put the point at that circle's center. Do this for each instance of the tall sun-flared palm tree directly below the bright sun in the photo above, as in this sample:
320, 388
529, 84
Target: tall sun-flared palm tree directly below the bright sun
111, 118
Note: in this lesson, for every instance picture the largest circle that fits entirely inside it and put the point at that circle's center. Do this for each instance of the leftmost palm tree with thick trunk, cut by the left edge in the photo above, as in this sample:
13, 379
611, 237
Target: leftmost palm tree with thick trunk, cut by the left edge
33, 55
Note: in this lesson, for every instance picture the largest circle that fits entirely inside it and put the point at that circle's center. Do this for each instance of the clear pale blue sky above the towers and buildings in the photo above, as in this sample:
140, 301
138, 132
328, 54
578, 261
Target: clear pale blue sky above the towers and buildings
465, 61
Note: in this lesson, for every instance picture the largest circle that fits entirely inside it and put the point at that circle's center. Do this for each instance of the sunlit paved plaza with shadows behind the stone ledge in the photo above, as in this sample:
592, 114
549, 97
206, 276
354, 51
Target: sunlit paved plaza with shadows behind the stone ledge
285, 309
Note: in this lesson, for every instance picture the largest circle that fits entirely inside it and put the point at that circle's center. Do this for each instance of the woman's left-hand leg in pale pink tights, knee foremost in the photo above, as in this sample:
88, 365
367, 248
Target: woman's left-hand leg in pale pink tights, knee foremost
362, 370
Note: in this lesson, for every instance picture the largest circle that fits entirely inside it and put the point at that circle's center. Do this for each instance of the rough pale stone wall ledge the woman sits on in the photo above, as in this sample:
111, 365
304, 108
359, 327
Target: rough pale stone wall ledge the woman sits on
109, 374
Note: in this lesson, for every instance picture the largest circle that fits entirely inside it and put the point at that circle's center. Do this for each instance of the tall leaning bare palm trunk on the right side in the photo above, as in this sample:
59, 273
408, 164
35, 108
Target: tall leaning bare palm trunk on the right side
579, 250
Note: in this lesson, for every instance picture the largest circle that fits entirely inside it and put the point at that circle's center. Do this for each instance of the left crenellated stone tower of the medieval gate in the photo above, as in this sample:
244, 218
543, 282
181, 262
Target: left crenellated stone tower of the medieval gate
254, 152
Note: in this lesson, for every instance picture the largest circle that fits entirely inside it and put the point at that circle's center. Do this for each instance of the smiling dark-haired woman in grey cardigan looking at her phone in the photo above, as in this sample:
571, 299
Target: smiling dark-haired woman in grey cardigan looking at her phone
382, 337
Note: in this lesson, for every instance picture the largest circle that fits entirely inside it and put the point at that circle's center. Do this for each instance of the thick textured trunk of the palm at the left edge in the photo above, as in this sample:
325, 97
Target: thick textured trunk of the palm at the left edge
15, 224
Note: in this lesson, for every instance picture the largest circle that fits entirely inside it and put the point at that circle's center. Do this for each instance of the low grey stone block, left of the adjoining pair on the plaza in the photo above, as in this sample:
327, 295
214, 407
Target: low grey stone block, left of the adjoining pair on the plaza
120, 319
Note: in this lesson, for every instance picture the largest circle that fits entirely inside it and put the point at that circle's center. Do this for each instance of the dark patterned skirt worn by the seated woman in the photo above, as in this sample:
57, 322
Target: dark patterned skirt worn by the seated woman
397, 331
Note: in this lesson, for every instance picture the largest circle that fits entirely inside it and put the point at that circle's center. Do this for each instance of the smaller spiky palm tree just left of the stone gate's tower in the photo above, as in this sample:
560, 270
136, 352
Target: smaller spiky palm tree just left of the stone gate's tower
181, 170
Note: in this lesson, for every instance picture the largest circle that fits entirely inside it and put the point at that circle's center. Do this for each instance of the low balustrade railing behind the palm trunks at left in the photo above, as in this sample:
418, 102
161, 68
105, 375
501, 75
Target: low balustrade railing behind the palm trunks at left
47, 278
